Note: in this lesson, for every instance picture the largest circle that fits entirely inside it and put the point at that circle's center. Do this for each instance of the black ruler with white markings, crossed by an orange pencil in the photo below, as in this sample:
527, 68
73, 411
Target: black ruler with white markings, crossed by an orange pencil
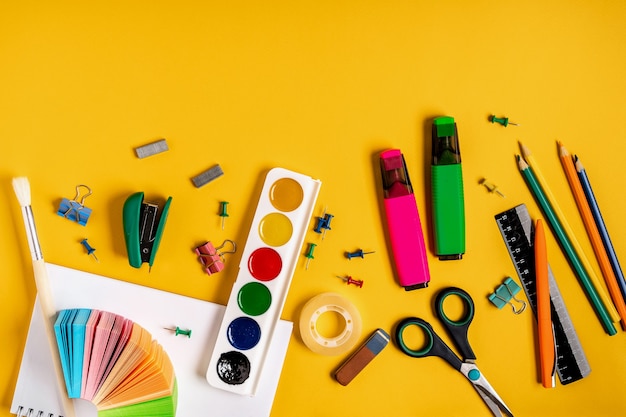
516, 227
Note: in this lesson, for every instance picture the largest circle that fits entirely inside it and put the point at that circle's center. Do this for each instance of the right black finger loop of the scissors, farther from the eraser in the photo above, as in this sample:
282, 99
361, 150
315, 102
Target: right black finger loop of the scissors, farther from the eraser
457, 329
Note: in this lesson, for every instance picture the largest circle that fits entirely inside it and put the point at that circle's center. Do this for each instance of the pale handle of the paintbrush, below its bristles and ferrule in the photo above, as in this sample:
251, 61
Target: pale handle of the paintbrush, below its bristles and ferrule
49, 312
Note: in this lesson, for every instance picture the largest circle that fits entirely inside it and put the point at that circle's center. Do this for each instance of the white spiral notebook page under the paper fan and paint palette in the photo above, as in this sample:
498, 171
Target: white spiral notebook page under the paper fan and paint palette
155, 310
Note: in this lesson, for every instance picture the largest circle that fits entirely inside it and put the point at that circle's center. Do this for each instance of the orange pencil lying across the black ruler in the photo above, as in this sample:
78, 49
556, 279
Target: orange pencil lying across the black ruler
547, 355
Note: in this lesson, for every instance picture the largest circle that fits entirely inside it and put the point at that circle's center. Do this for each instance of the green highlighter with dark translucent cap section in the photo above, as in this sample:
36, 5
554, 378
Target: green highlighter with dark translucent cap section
447, 191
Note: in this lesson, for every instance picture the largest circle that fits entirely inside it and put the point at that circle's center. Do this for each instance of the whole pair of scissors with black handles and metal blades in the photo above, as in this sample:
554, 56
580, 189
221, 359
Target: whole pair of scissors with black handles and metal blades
457, 330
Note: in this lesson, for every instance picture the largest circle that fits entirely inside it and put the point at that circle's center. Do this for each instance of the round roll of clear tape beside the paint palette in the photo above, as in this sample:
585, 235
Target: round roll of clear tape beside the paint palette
336, 345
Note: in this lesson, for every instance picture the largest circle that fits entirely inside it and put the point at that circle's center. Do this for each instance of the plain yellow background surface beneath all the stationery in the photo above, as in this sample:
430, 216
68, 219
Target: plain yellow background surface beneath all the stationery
319, 87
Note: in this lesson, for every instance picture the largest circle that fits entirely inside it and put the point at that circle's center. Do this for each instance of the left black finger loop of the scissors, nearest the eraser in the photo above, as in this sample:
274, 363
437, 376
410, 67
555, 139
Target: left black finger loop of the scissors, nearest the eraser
434, 346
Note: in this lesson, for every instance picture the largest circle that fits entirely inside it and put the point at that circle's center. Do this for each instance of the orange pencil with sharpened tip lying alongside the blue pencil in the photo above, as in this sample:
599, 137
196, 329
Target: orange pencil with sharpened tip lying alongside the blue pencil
593, 233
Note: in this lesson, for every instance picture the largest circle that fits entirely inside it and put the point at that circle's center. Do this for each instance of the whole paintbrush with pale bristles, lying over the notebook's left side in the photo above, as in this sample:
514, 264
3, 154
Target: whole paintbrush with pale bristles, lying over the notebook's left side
21, 186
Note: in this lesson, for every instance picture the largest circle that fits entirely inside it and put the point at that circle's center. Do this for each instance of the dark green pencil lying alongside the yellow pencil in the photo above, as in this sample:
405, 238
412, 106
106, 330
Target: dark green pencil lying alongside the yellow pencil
566, 245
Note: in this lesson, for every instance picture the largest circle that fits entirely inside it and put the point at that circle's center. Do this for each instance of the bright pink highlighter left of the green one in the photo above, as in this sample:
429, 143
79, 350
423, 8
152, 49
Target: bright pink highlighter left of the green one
403, 221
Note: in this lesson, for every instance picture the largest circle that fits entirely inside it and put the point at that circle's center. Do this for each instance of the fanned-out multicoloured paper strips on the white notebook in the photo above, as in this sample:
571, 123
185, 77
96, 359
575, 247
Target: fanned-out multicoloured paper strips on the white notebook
114, 363
